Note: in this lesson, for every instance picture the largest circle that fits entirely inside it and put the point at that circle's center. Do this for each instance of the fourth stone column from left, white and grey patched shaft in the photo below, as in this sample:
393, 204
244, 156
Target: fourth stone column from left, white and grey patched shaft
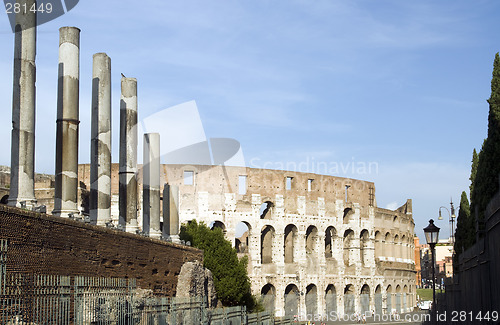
128, 155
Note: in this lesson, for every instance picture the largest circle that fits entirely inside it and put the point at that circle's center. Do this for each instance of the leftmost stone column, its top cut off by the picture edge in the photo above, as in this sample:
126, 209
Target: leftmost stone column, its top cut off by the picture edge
22, 185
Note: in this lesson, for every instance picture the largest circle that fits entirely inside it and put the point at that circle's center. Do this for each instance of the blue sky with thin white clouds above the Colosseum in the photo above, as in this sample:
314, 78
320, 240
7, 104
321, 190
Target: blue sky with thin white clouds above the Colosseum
402, 84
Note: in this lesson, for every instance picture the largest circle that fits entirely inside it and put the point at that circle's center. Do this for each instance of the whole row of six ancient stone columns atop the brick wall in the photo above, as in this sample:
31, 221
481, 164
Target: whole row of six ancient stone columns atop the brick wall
22, 192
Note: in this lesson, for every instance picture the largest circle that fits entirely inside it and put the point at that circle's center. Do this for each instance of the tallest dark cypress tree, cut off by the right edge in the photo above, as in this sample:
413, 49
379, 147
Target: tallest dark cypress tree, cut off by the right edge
486, 183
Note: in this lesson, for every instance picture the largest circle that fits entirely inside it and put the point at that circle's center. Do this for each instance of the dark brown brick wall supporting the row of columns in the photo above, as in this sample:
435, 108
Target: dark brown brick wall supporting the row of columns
44, 244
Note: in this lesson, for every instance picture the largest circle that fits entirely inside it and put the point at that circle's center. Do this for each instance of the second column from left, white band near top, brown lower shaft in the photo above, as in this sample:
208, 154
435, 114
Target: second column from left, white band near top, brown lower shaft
66, 186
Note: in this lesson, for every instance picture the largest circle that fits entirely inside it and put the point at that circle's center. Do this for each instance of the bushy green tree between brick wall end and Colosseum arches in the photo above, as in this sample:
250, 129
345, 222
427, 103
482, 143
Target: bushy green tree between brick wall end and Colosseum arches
230, 273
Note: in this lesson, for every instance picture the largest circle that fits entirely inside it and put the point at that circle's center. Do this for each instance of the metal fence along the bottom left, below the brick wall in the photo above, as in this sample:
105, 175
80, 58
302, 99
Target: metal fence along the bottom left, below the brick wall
63, 300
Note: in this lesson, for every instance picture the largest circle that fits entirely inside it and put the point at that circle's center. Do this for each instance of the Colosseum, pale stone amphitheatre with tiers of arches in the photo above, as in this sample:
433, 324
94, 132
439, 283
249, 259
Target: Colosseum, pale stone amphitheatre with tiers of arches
316, 244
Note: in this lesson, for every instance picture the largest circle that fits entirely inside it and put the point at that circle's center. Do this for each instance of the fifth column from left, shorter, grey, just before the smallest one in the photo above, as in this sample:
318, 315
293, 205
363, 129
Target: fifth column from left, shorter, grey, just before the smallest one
151, 185
